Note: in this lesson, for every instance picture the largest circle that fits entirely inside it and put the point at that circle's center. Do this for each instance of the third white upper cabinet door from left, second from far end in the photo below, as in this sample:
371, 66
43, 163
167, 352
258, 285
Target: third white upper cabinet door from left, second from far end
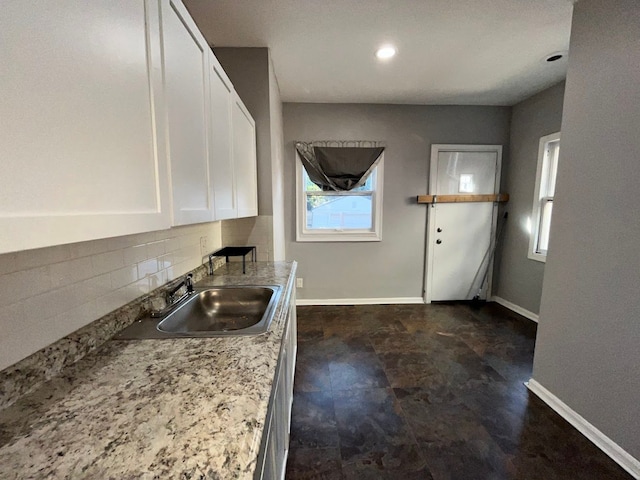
220, 151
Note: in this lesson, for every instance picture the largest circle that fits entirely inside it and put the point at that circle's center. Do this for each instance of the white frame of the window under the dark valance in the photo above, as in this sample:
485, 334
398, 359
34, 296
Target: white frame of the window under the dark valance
303, 234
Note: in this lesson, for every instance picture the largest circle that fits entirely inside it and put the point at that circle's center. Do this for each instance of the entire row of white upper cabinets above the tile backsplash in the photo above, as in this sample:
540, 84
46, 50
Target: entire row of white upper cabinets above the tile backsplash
116, 118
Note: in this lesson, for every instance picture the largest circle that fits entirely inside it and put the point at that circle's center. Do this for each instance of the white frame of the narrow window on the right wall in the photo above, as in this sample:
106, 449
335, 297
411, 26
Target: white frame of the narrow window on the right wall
541, 195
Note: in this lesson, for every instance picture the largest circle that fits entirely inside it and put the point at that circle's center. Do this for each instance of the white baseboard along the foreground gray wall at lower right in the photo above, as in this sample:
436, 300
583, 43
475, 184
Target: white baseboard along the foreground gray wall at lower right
599, 439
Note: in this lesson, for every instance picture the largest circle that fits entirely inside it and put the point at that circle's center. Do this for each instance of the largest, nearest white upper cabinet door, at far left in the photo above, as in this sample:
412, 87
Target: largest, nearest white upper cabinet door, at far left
79, 122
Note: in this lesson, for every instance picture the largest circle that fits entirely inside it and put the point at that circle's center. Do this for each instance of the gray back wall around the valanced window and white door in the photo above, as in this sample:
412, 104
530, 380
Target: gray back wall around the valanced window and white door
393, 267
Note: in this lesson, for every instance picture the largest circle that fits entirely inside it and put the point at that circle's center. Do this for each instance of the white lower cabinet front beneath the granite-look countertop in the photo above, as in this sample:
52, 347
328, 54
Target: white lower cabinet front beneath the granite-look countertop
278, 423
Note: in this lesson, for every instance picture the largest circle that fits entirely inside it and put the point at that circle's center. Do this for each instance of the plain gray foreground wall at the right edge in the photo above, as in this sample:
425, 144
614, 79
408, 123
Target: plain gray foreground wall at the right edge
588, 345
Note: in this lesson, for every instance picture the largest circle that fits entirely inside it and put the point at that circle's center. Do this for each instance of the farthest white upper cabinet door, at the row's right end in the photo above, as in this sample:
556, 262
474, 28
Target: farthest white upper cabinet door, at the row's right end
244, 158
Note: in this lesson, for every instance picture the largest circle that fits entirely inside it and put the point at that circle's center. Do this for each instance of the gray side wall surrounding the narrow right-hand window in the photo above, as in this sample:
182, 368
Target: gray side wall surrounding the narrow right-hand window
519, 278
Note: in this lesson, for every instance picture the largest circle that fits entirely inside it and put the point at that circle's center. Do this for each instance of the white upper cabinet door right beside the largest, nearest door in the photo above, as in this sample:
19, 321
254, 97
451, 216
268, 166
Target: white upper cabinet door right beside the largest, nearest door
186, 73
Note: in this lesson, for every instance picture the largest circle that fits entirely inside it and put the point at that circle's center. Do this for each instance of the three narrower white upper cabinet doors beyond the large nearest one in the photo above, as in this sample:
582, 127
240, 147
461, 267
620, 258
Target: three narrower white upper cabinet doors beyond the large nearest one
211, 135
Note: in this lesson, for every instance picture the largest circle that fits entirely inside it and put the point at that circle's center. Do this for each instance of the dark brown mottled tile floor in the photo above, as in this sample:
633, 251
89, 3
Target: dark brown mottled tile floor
427, 392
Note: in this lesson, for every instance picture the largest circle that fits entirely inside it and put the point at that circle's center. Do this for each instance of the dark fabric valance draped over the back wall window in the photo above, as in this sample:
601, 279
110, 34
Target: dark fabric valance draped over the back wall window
339, 166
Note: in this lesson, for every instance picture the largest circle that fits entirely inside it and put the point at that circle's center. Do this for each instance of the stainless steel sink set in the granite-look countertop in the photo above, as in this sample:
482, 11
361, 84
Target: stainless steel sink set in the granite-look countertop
213, 312
